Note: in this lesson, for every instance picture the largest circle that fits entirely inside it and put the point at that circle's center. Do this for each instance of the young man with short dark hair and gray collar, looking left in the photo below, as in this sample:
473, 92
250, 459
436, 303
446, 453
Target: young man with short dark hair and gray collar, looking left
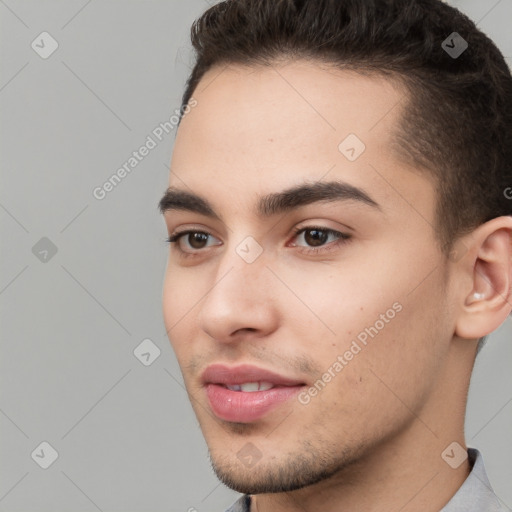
340, 223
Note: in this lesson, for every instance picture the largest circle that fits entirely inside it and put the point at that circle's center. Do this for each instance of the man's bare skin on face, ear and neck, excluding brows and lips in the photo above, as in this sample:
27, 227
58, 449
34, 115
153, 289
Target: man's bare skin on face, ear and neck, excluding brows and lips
372, 438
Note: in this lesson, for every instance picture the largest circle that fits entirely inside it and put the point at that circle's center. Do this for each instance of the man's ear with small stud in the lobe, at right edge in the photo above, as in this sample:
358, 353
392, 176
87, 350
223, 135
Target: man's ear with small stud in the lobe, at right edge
486, 298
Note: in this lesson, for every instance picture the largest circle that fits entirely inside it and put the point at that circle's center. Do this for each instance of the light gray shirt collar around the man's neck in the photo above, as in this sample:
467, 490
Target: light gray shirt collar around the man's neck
474, 495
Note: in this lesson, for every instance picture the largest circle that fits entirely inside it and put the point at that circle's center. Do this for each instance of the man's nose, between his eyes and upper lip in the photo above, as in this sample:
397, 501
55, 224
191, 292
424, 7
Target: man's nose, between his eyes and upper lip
241, 300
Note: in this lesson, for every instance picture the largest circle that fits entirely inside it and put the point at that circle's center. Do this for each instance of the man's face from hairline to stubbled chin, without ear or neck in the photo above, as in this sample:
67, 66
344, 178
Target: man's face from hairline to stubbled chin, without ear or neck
354, 327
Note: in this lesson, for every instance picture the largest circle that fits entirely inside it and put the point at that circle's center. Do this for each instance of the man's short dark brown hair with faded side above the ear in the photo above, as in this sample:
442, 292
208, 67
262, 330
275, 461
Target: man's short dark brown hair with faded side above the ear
457, 121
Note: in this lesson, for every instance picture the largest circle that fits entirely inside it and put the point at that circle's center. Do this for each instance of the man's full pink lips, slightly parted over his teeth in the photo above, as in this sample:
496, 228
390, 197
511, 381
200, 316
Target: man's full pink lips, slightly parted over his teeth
246, 407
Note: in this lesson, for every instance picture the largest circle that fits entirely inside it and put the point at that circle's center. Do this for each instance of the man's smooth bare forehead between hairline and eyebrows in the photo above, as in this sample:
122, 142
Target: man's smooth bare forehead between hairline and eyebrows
264, 128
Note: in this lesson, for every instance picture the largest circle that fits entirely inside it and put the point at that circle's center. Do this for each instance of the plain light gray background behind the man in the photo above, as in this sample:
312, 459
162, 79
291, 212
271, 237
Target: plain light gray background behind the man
125, 433
